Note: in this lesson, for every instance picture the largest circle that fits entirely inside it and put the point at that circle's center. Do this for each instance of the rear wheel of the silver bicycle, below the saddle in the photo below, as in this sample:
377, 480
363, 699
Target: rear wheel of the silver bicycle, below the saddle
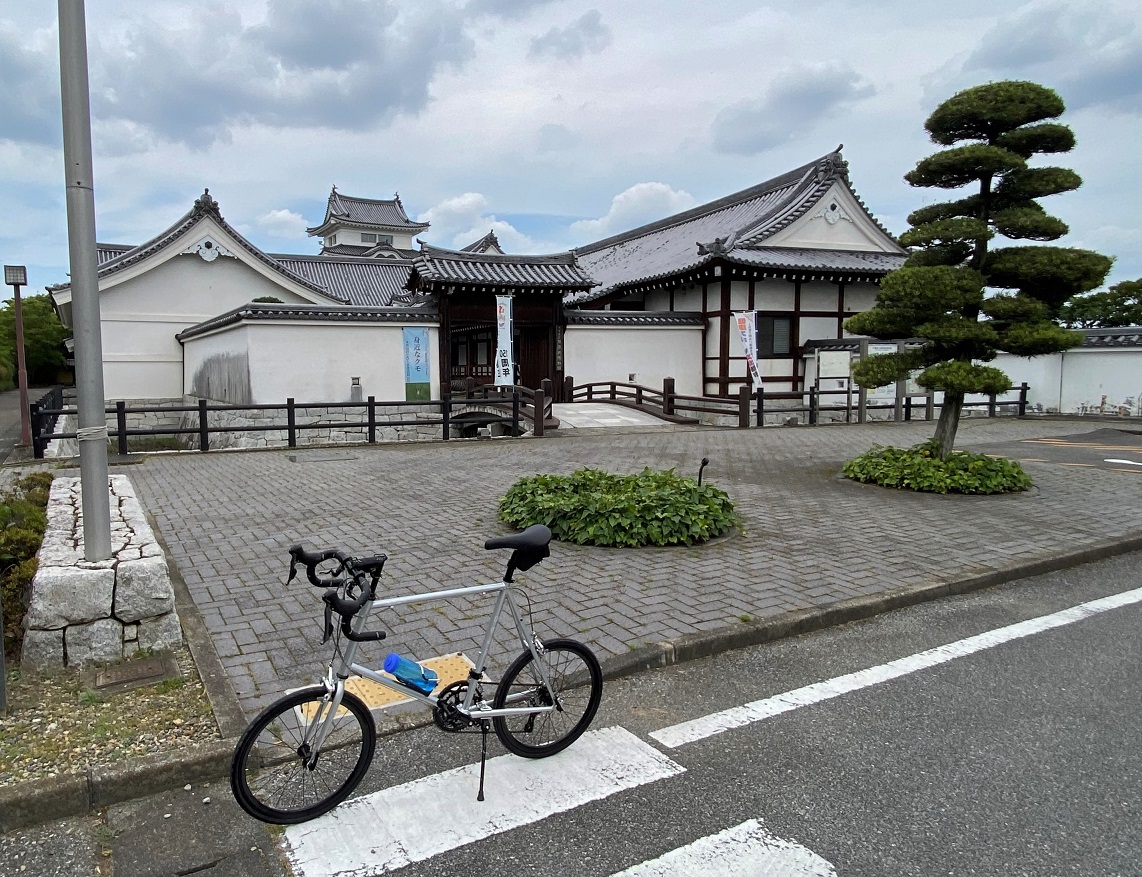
577, 688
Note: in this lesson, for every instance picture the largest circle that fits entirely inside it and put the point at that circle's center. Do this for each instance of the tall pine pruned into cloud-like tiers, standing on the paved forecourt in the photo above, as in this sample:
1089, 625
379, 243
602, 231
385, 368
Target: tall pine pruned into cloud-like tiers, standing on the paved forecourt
942, 293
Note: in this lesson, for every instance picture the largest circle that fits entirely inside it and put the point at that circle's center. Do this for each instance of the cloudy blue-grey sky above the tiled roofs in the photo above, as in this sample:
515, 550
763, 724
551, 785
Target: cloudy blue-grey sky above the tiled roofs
554, 123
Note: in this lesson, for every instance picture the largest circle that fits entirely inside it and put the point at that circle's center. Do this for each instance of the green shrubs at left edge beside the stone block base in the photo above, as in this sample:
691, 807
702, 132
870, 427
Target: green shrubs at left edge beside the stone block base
23, 520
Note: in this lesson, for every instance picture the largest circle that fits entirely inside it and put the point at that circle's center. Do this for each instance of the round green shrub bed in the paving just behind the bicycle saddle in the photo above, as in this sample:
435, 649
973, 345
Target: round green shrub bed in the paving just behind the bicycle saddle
594, 508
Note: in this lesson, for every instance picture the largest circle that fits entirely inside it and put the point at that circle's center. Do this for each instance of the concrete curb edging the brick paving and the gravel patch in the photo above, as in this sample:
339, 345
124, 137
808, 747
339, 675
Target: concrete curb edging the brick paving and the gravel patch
71, 795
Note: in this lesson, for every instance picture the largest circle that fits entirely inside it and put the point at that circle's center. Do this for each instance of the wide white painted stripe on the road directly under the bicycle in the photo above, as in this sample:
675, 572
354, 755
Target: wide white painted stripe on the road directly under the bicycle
408, 824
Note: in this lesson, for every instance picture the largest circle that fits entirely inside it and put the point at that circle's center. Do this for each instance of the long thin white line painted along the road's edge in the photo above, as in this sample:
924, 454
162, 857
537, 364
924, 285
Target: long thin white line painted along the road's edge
688, 733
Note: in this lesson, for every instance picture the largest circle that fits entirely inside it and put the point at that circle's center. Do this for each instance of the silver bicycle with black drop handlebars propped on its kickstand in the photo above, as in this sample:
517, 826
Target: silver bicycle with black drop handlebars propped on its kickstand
305, 754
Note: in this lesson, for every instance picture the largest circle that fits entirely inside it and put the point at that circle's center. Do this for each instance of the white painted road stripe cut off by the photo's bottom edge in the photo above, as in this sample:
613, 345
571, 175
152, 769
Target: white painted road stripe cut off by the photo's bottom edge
744, 851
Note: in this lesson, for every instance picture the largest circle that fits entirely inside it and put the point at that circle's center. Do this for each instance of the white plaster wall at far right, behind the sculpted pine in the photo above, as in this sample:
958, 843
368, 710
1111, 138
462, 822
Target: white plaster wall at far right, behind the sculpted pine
1076, 382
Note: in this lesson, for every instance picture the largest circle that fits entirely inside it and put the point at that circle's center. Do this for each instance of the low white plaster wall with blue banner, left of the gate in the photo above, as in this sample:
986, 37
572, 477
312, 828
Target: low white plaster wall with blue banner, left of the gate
316, 363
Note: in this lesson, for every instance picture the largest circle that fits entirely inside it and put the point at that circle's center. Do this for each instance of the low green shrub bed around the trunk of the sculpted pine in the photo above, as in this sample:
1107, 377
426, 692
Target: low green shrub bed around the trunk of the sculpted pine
921, 469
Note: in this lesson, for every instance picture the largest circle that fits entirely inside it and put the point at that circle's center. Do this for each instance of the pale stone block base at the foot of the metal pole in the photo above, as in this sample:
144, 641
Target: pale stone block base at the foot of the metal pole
85, 613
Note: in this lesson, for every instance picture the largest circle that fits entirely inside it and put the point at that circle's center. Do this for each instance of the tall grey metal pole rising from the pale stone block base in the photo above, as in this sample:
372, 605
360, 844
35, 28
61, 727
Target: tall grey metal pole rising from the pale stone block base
93, 423
